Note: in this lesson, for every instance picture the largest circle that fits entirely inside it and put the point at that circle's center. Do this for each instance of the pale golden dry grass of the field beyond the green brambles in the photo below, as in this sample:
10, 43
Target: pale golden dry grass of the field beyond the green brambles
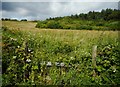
58, 34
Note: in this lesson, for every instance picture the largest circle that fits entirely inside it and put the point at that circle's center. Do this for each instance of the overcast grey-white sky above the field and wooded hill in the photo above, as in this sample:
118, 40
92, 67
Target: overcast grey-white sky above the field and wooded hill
43, 10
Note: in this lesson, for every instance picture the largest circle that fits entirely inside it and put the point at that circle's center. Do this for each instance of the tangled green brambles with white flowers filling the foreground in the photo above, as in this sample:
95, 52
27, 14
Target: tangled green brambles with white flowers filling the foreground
28, 60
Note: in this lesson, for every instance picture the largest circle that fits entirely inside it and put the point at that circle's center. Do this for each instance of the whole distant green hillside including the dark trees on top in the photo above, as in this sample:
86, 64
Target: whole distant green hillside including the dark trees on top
105, 20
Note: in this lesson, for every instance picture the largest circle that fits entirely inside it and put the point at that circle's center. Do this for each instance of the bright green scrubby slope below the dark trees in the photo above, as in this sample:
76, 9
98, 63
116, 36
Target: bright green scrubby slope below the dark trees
78, 24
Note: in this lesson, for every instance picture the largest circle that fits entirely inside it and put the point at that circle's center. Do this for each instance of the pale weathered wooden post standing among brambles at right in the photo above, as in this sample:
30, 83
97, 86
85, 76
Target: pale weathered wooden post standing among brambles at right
94, 54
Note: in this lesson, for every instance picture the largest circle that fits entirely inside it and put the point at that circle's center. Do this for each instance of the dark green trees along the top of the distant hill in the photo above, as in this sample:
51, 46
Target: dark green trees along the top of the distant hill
107, 14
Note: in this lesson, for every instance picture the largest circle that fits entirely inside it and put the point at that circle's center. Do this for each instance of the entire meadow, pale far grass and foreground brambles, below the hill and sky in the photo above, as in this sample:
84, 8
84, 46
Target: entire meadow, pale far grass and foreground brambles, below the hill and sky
33, 56
